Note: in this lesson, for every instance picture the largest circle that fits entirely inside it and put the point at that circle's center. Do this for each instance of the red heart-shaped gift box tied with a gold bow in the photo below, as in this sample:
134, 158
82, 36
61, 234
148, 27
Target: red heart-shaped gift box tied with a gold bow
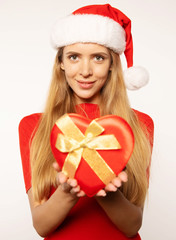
93, 152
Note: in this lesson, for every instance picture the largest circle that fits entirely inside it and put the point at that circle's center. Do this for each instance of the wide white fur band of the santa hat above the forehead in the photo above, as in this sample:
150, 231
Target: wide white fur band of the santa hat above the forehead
87, 28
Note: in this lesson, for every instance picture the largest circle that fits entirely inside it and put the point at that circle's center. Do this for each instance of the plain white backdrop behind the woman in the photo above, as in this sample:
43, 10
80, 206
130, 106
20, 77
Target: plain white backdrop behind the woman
26, 60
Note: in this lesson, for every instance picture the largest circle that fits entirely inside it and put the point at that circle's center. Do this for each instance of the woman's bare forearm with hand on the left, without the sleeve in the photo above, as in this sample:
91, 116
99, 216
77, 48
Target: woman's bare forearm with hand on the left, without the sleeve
48, 215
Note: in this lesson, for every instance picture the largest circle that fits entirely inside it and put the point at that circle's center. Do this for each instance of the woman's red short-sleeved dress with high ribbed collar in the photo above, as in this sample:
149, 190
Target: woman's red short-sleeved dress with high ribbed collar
86, 220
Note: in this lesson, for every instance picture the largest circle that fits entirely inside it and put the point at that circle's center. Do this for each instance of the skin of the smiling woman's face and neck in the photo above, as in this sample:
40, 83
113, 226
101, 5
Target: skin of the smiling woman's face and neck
86, 69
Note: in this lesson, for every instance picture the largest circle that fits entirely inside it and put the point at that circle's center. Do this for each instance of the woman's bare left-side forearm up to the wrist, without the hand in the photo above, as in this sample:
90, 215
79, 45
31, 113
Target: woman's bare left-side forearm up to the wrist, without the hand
49, 215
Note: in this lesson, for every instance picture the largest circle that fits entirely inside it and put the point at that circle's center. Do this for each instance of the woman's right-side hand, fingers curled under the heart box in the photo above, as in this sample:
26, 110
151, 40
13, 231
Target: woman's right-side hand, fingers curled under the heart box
114, 184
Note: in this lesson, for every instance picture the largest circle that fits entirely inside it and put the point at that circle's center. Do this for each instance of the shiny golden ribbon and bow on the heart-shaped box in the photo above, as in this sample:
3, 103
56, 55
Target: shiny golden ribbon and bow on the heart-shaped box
79, 145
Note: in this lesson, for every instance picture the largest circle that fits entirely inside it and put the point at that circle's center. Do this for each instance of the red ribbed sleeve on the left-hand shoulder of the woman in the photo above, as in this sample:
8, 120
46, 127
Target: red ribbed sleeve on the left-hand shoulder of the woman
26, 128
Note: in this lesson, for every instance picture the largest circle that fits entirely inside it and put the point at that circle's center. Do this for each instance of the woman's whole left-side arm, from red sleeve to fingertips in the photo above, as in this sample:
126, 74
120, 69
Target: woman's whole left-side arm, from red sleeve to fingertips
49, 214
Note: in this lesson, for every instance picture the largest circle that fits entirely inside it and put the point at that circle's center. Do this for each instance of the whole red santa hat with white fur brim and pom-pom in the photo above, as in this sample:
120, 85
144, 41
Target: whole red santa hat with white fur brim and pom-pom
106, 26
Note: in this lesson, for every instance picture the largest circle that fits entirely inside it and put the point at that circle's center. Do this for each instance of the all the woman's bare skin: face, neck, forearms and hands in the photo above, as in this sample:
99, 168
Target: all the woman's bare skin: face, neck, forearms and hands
86, 69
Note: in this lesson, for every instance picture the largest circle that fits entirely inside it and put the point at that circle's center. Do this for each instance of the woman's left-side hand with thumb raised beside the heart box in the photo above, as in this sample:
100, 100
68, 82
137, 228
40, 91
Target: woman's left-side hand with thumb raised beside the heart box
68, 185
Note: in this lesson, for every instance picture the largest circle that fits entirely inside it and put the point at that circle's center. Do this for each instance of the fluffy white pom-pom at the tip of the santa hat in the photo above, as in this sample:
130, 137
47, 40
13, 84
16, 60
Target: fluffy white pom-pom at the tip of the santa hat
135, 77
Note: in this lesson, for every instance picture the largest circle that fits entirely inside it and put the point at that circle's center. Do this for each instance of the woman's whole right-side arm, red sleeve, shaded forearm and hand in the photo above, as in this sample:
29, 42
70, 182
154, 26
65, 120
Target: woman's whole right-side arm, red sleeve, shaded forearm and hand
125, 215
